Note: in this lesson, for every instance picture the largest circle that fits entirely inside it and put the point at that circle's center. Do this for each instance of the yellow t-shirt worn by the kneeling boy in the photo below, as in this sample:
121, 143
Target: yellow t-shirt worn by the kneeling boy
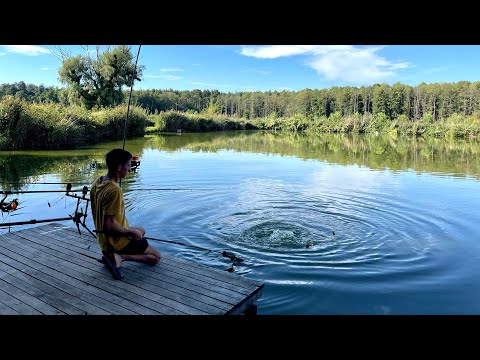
107, 199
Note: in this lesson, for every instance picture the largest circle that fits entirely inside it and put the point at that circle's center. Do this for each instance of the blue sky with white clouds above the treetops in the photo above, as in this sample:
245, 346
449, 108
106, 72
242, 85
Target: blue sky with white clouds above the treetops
232, 68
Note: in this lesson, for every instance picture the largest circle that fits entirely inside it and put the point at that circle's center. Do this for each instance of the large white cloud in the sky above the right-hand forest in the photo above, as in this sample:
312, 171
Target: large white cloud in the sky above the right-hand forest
337, 62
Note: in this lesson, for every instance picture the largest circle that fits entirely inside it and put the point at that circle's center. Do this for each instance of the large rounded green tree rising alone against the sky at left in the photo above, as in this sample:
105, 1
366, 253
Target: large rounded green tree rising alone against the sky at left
98, 81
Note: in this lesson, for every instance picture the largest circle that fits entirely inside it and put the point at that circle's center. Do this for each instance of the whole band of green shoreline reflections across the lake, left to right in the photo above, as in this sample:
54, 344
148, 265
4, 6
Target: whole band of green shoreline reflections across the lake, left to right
376, 152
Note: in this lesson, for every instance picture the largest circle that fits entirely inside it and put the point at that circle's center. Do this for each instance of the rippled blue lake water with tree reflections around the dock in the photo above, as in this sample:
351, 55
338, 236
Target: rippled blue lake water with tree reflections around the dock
333, 224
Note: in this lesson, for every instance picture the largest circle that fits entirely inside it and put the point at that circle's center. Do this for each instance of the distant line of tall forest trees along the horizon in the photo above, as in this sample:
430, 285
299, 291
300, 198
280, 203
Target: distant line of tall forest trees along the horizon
433, 101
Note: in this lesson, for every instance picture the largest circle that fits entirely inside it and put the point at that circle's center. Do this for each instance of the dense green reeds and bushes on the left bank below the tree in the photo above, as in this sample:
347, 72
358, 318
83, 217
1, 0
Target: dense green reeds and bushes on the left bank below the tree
53, 126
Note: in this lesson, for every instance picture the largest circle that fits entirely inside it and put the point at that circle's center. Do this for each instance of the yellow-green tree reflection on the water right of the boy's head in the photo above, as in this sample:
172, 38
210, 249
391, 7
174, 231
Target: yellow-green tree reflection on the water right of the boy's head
376, 152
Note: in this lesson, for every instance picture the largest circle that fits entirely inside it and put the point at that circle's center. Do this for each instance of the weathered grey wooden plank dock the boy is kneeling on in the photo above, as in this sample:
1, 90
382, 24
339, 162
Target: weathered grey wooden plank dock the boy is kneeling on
51, 269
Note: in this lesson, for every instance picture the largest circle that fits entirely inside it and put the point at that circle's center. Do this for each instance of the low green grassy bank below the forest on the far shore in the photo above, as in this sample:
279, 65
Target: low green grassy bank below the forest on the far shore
454, 126
